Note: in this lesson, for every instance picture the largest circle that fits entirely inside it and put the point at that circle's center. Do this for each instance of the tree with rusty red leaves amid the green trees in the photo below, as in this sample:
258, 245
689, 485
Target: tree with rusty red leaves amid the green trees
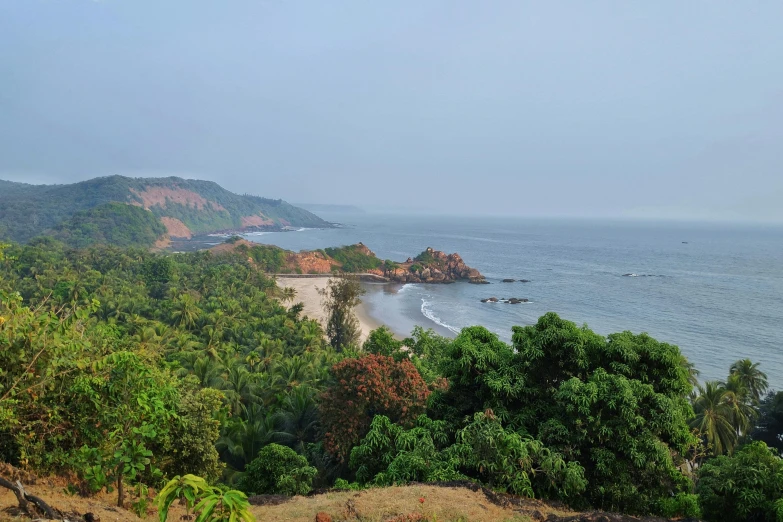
365, 387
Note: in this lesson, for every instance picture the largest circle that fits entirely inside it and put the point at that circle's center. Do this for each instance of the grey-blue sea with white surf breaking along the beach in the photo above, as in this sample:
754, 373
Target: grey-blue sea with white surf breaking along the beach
714, 290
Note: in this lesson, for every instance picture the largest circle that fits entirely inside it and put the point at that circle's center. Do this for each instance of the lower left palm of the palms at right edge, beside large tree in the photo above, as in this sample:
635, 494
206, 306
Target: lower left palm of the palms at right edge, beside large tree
713, 408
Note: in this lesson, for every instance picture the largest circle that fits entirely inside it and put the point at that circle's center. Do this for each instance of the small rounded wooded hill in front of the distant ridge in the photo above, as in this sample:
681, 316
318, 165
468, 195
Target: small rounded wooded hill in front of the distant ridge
111, 224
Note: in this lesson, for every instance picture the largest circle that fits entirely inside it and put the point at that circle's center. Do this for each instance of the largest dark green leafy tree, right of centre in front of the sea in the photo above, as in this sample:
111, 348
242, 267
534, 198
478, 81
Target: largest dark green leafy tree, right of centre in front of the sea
617, 405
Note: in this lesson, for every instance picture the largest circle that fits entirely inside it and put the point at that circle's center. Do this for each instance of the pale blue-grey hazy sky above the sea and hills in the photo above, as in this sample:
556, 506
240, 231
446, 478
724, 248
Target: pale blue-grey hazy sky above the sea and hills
578, 108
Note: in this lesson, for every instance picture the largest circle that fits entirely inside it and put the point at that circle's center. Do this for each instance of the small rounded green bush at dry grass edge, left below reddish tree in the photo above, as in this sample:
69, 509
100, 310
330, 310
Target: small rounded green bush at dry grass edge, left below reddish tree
278, 470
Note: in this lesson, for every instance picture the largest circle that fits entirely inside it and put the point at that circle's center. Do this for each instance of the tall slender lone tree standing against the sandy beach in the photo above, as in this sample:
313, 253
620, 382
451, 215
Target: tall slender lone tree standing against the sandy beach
339, 298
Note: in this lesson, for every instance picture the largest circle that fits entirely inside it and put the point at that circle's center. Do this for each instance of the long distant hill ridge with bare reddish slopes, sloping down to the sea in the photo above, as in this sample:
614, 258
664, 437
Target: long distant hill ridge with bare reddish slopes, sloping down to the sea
185, 207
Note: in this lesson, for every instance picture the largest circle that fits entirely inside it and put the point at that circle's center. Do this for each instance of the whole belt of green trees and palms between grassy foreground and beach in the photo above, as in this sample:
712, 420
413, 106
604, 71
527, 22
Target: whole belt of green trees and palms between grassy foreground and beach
185, 366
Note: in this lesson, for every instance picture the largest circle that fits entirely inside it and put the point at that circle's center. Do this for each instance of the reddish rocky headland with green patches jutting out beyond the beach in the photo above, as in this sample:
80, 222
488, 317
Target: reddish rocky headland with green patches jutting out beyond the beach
431, 266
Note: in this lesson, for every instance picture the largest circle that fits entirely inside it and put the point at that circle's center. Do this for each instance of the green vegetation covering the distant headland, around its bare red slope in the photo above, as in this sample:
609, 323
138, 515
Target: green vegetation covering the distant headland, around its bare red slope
27, 211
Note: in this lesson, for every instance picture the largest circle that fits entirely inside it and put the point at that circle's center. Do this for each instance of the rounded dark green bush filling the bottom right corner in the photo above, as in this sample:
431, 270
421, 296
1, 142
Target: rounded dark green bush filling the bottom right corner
745, 486
